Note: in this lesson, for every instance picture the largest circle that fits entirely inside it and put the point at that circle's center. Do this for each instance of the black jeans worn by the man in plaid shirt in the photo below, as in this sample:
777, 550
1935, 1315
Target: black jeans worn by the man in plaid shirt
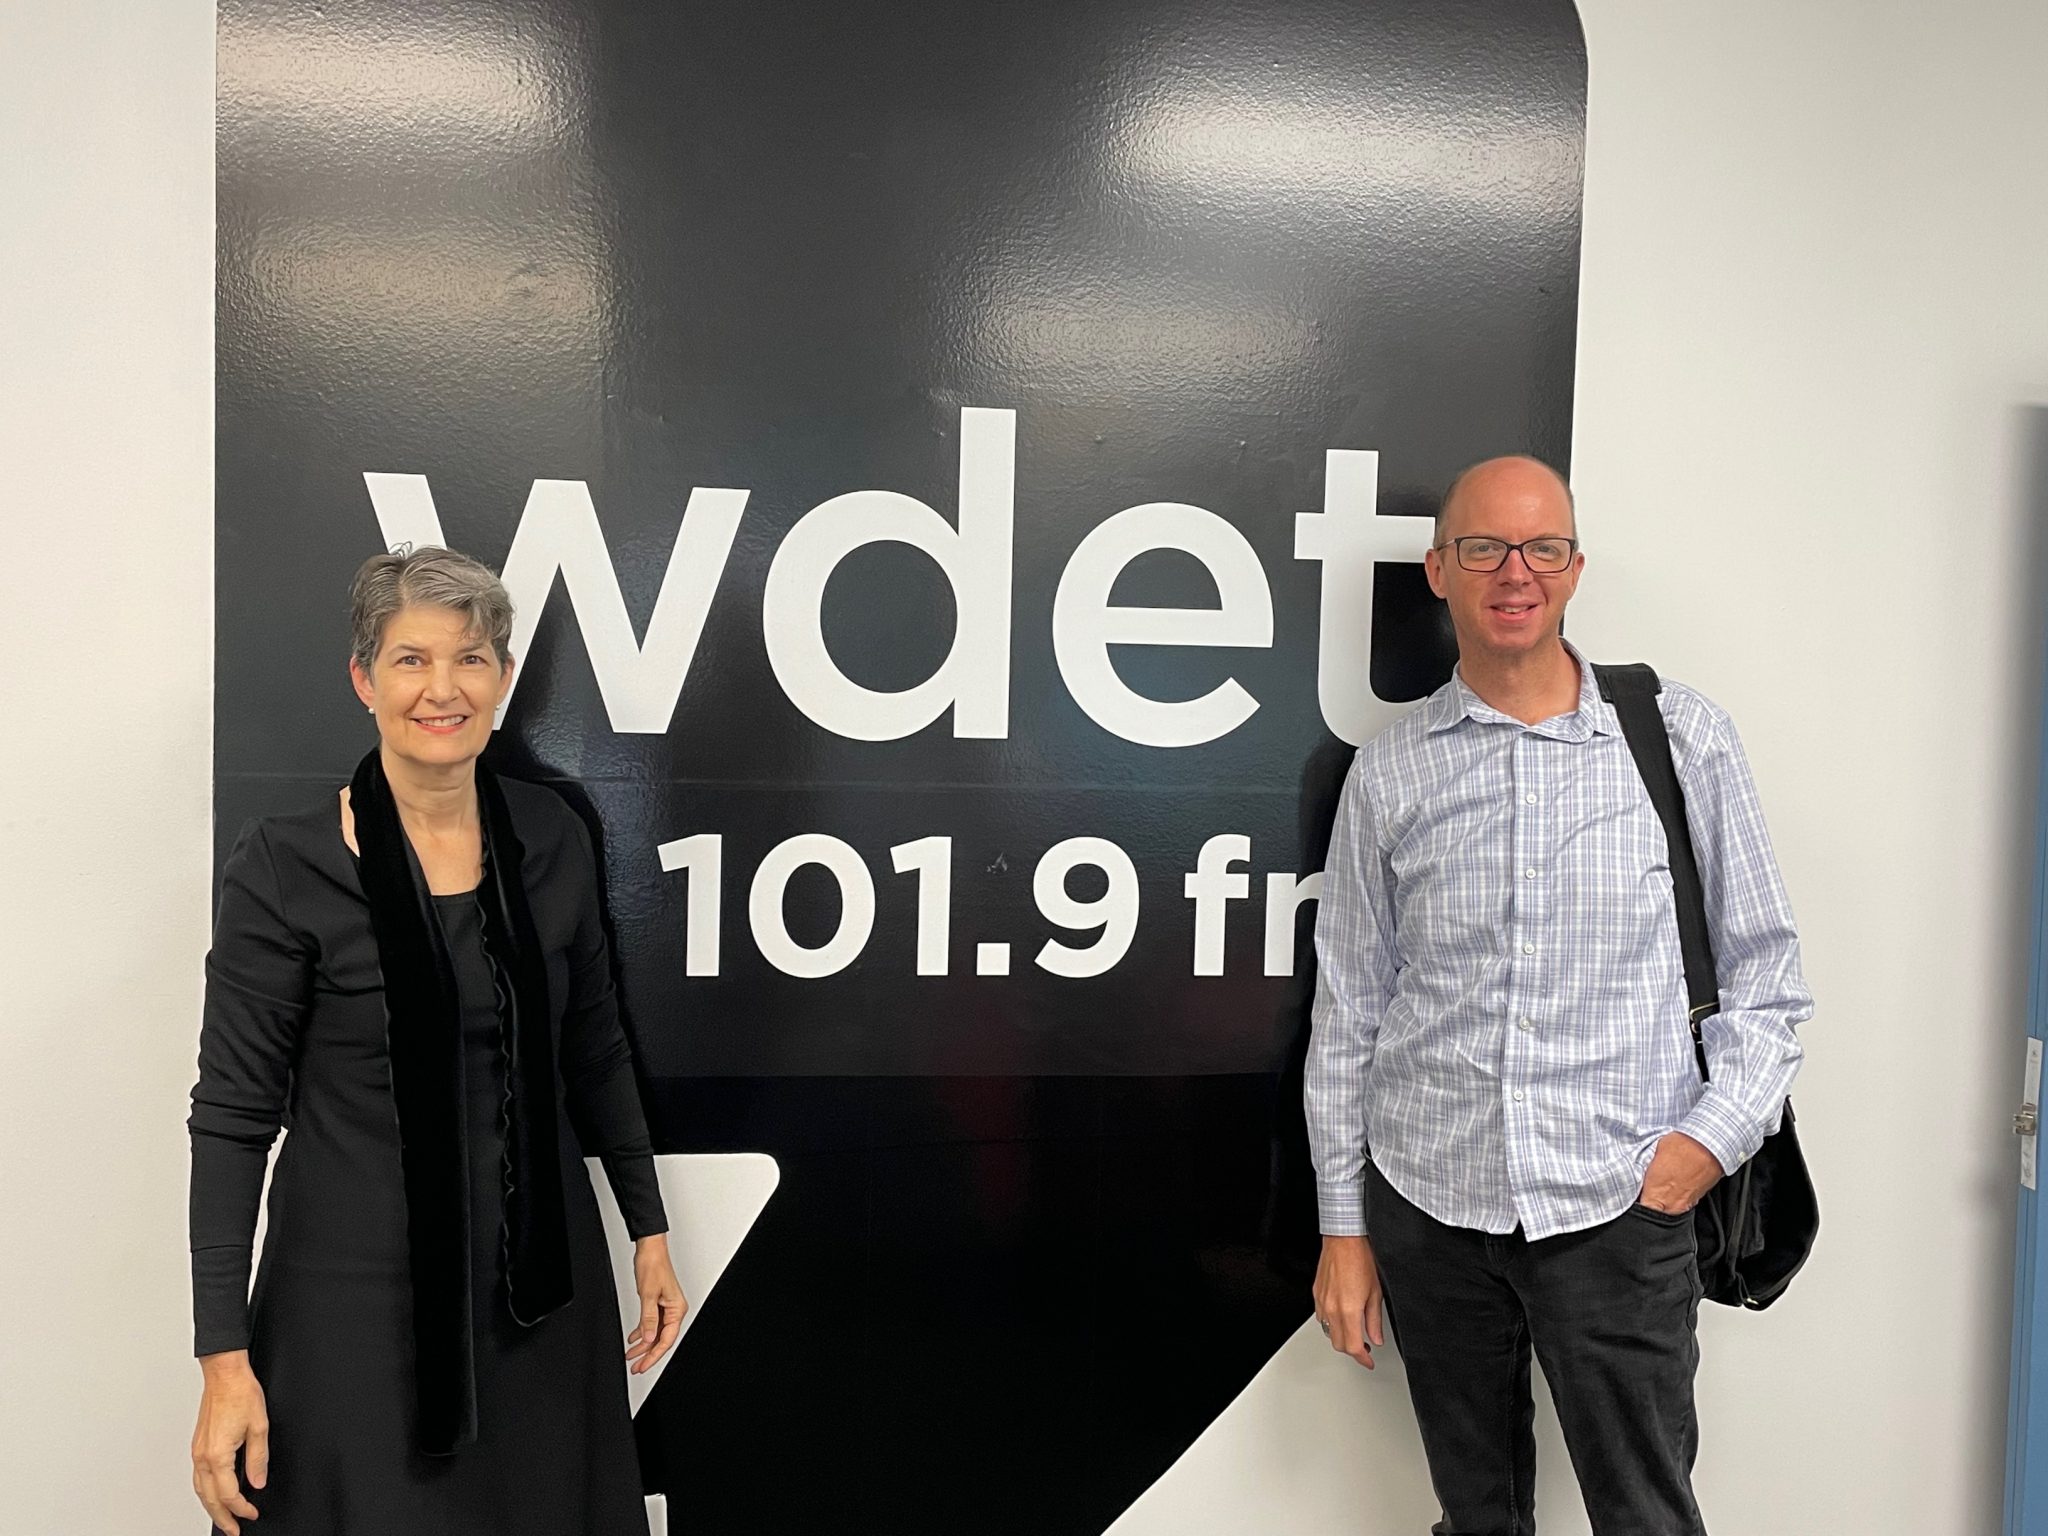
1611, 1312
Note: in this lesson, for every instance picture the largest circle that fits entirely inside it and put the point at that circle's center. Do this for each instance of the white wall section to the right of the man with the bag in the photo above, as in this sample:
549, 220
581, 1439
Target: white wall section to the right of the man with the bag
1814, 323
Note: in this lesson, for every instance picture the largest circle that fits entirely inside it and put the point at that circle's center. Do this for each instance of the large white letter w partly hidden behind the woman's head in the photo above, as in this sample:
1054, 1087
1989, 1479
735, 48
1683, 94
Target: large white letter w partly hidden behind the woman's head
560, 534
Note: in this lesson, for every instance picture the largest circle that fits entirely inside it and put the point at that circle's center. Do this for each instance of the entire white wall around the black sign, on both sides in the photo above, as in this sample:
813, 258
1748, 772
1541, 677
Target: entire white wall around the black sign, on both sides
1811, 318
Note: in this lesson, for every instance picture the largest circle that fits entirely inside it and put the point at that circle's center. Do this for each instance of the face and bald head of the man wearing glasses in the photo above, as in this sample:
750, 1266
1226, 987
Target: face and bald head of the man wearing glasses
1514, 609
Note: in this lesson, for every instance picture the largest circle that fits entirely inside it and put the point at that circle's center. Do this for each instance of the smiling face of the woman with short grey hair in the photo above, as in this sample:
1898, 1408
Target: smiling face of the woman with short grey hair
433, 687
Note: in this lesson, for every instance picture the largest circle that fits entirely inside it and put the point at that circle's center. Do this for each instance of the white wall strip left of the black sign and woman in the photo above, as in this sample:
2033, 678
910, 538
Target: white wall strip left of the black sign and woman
105, 746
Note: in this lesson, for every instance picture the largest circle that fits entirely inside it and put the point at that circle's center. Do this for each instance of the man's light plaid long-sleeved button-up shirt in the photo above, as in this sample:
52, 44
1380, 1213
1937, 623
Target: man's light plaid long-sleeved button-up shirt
1502, 1011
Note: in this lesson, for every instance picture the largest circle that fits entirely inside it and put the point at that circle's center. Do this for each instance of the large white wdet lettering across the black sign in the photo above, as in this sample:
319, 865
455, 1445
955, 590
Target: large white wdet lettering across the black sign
642, 681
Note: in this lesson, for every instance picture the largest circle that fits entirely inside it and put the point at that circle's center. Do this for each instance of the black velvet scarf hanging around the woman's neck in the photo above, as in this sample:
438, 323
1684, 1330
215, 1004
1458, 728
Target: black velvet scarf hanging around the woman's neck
423, 1029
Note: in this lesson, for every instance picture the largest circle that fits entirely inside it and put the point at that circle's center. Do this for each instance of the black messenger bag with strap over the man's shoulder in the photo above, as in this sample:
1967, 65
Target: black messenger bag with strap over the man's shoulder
1754, 1228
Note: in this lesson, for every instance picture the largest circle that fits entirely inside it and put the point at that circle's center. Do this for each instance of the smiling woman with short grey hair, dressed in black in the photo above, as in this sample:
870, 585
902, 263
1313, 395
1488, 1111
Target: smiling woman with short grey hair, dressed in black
417, 982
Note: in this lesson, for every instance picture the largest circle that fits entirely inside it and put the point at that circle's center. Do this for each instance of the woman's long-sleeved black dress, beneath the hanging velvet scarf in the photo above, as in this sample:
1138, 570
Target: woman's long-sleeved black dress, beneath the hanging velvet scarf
296, 1033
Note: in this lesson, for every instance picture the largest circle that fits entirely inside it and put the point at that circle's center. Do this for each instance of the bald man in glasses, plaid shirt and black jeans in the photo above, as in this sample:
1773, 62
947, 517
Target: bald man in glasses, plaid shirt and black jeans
1508, 1123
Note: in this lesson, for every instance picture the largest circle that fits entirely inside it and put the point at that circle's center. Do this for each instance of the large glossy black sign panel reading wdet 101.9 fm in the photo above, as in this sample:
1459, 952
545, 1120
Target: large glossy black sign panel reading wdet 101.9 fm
962, 472
